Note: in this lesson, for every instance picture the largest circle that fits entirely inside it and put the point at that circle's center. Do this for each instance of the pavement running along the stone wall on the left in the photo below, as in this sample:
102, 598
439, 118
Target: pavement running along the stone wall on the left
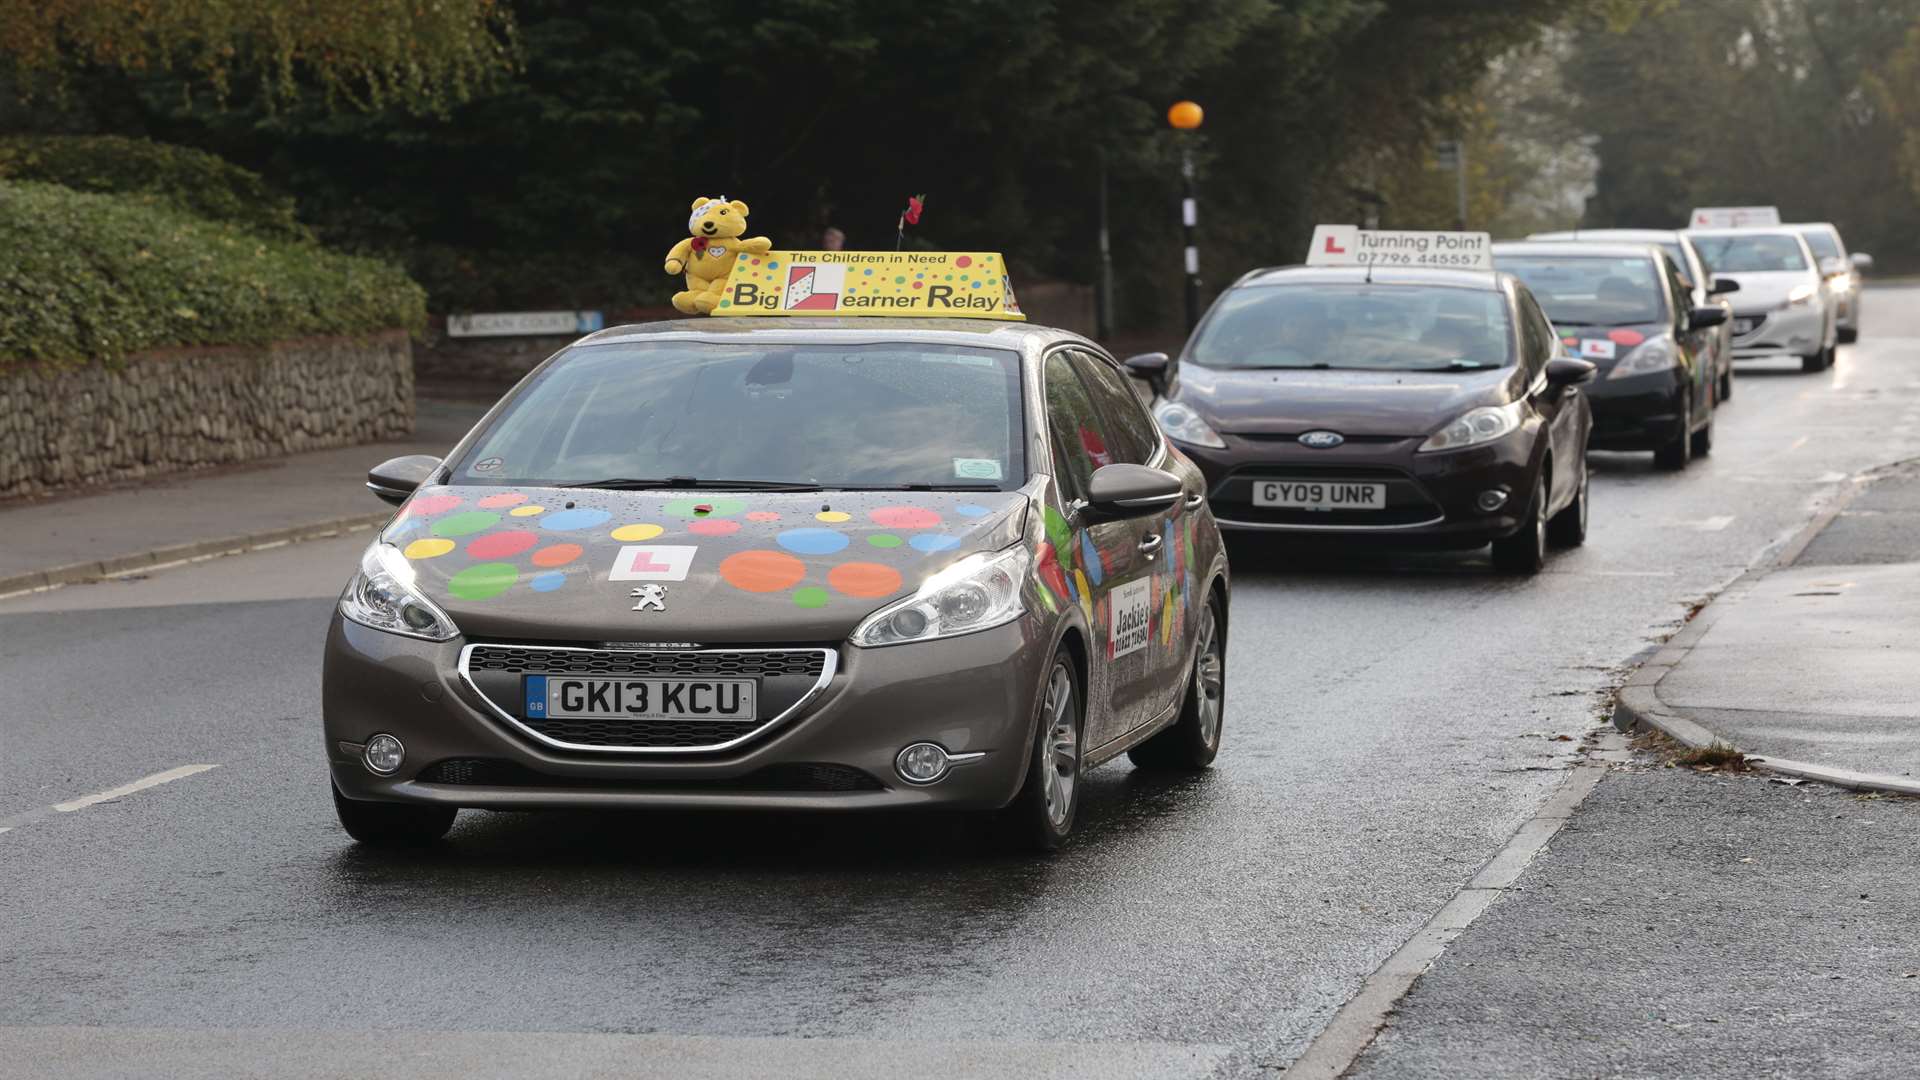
187, 516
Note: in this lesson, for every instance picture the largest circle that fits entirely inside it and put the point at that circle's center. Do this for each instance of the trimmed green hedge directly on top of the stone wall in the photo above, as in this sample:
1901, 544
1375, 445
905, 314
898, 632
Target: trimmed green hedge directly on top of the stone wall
99, 276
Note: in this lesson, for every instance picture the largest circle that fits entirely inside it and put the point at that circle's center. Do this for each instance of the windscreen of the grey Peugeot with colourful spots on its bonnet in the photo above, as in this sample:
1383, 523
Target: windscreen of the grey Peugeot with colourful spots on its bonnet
830, 416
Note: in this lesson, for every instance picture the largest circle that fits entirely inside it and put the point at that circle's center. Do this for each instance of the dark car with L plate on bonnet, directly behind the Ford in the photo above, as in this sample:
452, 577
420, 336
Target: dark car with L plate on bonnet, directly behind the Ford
1631, 312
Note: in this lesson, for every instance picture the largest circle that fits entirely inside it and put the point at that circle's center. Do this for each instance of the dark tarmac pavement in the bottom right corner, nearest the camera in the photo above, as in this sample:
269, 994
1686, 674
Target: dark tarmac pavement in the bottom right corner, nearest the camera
1702, 925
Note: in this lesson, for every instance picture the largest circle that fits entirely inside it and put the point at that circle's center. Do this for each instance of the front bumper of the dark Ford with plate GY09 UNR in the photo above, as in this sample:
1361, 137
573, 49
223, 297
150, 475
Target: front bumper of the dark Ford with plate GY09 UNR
1429, 497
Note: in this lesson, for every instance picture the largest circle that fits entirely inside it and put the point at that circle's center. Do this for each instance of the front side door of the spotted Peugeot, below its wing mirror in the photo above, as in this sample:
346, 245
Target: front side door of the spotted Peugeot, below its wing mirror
1095, 556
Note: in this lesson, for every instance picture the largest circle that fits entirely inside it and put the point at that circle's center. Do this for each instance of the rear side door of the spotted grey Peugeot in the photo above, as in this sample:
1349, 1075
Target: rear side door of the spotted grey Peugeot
1153, 670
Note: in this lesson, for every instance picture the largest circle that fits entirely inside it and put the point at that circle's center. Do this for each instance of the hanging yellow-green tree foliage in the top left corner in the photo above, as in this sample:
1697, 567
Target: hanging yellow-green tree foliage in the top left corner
366, 55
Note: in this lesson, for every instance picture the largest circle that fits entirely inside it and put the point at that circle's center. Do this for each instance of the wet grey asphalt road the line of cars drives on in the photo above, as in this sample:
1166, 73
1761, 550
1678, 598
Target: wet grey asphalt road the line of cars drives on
1391, 722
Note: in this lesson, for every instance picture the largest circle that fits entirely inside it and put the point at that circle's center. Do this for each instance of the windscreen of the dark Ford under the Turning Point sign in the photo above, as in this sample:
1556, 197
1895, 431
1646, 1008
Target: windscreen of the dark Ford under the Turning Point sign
1356, 328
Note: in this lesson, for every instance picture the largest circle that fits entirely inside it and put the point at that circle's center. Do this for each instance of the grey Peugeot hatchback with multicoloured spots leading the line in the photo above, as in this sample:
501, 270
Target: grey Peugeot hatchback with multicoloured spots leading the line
784, 564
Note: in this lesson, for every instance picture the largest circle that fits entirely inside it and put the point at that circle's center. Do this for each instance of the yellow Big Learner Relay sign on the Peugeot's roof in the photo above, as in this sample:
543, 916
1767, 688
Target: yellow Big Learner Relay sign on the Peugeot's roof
965, 285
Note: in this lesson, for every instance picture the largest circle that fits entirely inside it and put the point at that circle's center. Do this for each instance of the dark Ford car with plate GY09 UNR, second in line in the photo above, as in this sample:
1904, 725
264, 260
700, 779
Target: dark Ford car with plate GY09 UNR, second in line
1403, 406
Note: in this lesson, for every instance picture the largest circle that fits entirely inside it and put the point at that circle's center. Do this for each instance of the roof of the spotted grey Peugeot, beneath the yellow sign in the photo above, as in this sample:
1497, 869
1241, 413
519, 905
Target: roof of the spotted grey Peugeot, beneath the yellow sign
846, 330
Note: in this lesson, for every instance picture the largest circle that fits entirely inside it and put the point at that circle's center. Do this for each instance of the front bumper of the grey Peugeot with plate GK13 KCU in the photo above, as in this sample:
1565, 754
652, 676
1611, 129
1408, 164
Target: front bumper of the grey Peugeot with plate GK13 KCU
972, 695
